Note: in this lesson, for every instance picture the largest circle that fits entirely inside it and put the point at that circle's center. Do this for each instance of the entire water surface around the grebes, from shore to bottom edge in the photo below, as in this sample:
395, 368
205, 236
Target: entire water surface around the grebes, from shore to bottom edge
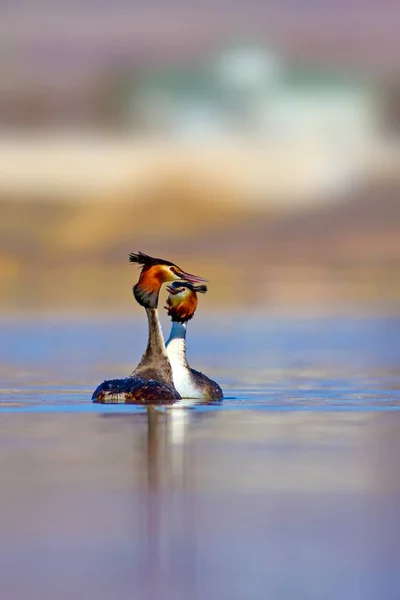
289, 489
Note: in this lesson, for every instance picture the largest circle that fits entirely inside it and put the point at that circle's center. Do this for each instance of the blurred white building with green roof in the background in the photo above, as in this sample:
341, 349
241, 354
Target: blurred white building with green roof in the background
247, 96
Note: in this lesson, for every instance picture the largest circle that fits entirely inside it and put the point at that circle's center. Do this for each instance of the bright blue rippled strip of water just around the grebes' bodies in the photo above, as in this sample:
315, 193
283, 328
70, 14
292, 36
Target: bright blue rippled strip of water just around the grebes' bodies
261, 362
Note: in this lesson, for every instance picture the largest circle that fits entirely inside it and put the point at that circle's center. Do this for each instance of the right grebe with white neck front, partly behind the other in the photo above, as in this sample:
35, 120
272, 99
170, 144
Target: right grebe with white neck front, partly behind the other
181, 305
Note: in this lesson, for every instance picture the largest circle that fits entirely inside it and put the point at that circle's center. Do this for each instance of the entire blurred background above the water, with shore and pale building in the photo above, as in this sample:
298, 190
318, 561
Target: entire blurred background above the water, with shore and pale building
254, 142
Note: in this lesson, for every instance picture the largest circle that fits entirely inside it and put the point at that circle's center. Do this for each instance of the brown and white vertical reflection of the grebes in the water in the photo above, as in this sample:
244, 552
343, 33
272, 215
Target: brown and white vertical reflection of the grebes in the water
167, 520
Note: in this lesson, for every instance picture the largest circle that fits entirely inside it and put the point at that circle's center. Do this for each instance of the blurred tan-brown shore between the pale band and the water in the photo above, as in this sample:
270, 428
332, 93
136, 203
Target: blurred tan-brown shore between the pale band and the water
66, 256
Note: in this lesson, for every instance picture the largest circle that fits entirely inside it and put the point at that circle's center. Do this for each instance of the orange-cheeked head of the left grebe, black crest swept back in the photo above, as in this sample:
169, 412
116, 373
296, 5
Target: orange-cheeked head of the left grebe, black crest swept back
155, 272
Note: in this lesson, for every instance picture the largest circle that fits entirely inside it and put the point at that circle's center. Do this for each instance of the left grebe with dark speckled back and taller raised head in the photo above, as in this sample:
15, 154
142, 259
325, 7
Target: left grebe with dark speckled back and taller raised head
151, 382
